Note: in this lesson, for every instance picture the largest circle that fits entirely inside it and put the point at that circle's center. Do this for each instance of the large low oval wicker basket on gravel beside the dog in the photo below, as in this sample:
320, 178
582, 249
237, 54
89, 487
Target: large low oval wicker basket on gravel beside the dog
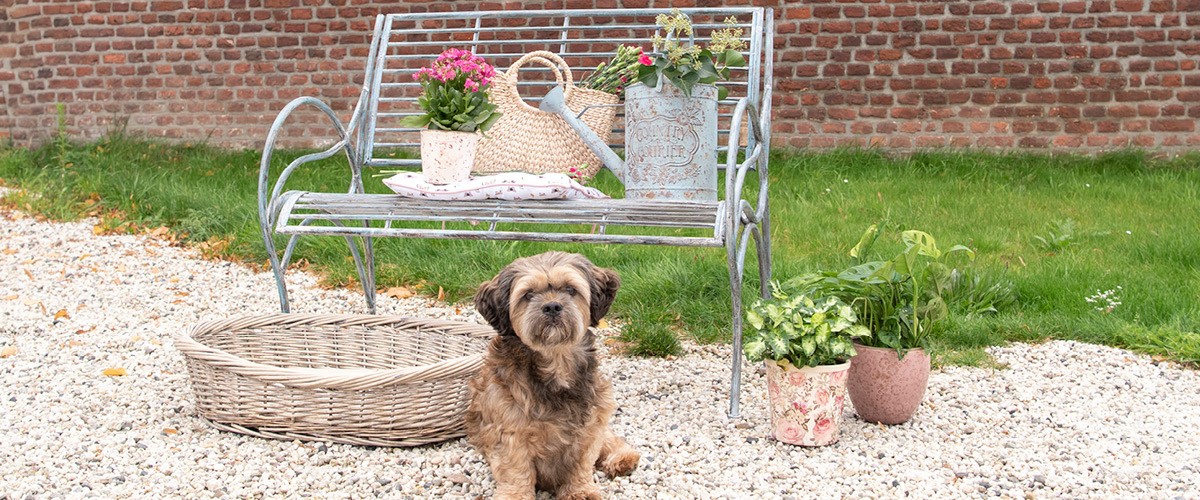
371, 381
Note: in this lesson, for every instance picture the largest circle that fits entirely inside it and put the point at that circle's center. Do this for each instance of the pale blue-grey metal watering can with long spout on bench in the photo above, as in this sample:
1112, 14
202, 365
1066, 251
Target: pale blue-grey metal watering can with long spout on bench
670, 142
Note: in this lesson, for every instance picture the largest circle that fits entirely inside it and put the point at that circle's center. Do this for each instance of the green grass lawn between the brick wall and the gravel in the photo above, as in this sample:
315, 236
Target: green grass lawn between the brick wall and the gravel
1061, 228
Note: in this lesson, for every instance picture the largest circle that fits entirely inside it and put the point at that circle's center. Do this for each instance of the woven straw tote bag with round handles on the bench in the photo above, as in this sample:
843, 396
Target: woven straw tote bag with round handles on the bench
529, 140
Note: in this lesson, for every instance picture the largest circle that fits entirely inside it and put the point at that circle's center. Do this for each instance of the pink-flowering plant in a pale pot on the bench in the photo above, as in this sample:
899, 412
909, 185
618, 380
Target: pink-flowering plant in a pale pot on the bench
455, 110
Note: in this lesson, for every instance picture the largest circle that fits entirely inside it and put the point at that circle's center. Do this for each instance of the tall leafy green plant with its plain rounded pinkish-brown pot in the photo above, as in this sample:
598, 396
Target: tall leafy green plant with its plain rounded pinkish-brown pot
901, 300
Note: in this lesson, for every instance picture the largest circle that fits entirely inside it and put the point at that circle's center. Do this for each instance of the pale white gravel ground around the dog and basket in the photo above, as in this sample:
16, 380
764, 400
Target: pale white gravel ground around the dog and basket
1065, 420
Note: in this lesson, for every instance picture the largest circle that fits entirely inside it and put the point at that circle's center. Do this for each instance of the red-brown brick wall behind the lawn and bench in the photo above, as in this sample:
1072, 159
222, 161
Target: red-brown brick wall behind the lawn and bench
1085, 76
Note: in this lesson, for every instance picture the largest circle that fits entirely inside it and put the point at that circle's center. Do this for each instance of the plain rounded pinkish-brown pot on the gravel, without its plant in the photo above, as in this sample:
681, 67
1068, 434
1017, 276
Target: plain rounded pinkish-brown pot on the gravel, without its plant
886, 389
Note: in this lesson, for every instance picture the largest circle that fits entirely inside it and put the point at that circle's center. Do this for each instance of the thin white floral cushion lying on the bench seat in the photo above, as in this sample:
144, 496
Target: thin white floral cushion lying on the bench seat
508, 186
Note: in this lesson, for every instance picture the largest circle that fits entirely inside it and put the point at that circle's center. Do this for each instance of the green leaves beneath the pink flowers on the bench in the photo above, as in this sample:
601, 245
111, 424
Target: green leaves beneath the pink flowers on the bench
449, 109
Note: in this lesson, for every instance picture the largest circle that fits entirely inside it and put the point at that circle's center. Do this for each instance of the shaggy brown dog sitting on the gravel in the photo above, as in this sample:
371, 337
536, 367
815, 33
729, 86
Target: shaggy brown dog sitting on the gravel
539, 409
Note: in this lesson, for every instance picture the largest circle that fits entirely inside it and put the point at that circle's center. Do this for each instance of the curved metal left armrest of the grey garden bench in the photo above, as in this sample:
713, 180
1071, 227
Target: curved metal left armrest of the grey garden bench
267, 200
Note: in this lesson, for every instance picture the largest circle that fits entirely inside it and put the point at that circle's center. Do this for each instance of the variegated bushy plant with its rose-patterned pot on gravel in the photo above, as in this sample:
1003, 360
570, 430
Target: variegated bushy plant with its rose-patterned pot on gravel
806, 345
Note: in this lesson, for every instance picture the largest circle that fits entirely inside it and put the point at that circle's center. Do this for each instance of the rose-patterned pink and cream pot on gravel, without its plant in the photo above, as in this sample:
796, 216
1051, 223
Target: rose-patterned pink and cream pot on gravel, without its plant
807, 403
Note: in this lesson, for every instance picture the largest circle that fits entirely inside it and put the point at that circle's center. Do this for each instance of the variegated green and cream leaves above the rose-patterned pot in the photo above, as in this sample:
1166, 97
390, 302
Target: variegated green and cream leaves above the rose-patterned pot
802, 330
